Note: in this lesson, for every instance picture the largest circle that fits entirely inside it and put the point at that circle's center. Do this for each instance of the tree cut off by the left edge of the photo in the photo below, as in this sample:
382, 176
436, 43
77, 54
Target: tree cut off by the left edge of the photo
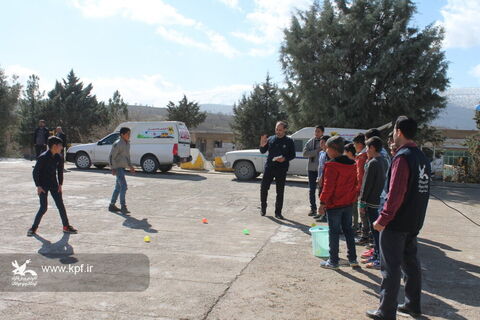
9, 94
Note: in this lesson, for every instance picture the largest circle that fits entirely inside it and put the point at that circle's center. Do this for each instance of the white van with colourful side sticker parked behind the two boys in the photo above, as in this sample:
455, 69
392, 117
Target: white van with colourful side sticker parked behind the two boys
153, 145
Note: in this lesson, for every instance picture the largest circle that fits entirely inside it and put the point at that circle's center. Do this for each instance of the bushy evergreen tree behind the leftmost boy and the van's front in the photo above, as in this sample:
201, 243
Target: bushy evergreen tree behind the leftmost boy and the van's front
73, 107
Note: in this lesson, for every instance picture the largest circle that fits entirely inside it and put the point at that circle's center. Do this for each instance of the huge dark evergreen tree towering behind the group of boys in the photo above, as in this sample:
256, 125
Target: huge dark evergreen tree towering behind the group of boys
360, 64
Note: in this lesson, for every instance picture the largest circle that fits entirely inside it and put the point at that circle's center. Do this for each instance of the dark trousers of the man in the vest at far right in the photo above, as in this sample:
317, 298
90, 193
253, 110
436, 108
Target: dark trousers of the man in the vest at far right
398, 252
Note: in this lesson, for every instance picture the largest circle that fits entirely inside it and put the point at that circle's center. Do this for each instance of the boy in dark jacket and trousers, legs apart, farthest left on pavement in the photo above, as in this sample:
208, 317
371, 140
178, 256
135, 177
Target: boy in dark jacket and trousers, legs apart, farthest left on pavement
49, 165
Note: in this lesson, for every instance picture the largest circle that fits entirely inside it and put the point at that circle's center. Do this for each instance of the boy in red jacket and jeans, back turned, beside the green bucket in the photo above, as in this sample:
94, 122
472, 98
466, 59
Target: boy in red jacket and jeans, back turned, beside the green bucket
339, 192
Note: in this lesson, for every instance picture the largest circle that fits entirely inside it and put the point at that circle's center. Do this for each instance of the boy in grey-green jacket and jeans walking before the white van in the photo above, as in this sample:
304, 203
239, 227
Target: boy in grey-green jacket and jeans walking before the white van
119, 160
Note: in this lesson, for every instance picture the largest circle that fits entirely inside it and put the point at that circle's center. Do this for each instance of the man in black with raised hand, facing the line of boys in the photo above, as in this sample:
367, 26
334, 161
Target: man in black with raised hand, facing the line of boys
281, 150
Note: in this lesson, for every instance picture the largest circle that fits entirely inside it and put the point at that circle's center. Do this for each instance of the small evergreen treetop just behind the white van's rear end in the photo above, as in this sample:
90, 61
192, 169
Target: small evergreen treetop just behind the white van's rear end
187, 112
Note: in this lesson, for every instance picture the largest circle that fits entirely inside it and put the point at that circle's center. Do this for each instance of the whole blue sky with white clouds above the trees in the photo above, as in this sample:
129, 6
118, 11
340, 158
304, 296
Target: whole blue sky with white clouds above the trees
154, 51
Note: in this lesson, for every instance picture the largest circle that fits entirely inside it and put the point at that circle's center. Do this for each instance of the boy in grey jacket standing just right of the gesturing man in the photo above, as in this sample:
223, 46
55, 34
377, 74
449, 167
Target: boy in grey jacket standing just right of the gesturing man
310, 151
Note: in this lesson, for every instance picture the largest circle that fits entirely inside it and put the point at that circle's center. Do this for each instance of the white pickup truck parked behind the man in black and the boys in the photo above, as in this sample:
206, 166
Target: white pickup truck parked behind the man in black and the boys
249, 164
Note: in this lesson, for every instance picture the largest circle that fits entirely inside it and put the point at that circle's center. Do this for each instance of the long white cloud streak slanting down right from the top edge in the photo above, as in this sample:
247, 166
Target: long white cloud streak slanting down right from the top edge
164, 17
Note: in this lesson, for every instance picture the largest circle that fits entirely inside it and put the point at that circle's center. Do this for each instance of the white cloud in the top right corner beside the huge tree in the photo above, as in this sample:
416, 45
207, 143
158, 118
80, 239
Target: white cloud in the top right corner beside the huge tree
462, 24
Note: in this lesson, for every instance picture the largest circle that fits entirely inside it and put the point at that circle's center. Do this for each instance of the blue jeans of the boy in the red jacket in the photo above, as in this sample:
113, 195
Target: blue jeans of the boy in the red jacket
341, 219
